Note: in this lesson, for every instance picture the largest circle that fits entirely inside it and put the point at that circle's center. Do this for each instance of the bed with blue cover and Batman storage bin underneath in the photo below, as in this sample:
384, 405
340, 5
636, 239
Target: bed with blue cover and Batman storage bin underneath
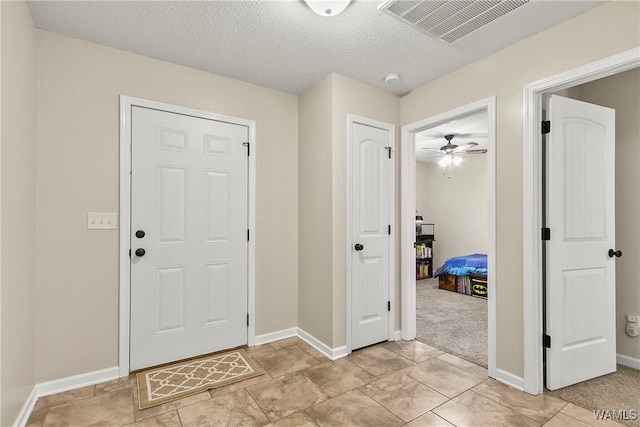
465, 274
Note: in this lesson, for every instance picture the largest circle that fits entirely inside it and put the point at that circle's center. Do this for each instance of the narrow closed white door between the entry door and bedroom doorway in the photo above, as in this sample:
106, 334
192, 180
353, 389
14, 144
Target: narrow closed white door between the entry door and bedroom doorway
371, 168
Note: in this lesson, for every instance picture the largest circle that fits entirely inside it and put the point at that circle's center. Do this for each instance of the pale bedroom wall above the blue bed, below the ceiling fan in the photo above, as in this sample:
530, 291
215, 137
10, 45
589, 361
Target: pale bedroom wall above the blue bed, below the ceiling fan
457, 205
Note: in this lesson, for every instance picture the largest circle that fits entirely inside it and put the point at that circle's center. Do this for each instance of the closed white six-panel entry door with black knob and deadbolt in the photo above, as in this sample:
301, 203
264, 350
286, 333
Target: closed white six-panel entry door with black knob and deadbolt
189, 216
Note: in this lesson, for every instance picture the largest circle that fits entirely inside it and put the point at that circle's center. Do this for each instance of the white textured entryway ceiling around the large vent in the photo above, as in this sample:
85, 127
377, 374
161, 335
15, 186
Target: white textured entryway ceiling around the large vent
283, 44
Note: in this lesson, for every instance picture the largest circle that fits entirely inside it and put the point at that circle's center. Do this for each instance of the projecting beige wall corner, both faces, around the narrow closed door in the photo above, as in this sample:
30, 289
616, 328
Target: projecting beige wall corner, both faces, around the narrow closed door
323, 204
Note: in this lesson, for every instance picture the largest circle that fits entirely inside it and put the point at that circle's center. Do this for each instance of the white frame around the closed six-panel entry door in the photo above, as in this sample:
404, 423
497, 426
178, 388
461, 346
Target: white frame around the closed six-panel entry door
126, 103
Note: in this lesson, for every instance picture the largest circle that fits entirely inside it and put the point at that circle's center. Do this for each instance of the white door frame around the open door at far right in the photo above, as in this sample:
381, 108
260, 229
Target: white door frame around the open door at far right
532, 197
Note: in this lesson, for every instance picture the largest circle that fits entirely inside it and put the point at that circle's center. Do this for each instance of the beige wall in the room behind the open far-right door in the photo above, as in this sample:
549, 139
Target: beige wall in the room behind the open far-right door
622, 92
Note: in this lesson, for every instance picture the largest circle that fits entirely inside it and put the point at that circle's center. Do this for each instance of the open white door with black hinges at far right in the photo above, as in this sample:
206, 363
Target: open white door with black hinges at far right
581, 216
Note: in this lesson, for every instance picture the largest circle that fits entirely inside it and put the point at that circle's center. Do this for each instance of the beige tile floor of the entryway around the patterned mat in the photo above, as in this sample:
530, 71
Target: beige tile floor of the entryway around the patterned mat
389, 384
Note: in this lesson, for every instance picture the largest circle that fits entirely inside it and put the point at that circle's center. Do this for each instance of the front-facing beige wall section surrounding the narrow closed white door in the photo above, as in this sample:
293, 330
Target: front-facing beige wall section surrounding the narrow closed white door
353, 97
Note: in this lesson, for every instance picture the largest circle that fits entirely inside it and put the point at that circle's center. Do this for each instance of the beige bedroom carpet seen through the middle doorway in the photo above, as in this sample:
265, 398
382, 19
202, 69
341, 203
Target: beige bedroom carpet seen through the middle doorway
452, 322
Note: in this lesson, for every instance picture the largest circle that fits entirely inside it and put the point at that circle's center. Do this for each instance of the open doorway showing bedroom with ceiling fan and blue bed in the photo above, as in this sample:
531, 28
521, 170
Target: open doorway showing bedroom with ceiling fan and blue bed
452, 236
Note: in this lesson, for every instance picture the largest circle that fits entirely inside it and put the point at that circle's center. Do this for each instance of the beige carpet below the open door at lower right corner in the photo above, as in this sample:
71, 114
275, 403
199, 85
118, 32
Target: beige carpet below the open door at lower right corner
614, 392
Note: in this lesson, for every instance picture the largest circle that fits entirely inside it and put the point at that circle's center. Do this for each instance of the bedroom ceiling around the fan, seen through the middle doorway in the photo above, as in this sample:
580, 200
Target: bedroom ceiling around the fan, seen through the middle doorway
470, 128
